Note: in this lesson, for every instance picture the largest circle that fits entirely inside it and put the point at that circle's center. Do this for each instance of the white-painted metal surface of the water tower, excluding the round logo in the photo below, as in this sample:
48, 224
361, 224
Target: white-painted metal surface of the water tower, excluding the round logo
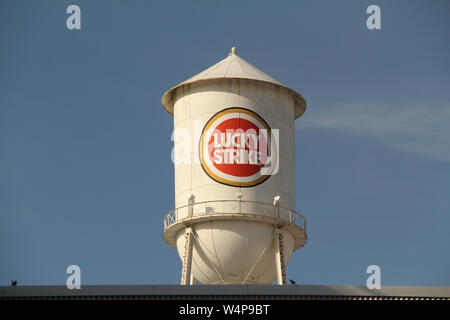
238, 250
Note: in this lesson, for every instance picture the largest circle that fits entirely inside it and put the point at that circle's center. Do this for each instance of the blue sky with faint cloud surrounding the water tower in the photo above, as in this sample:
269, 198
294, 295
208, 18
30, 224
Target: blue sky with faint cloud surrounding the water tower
85, 170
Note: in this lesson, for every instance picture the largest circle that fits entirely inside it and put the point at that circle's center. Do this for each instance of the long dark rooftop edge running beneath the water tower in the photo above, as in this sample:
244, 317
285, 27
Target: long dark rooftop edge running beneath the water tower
224, 290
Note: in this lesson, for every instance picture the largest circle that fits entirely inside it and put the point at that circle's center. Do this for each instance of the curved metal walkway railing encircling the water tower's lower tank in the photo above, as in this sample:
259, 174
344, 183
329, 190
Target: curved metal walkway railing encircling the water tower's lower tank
234, 207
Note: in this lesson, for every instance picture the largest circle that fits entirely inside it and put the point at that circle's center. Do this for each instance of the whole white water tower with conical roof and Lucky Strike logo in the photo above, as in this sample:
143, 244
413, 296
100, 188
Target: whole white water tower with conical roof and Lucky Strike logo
234, 220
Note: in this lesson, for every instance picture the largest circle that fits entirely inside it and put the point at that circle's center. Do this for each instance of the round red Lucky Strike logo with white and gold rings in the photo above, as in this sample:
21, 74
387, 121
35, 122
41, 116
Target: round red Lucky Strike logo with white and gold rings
236, 148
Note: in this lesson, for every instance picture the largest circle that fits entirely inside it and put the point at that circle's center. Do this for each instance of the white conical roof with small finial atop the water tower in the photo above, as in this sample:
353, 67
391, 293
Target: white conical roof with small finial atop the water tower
233, 67
